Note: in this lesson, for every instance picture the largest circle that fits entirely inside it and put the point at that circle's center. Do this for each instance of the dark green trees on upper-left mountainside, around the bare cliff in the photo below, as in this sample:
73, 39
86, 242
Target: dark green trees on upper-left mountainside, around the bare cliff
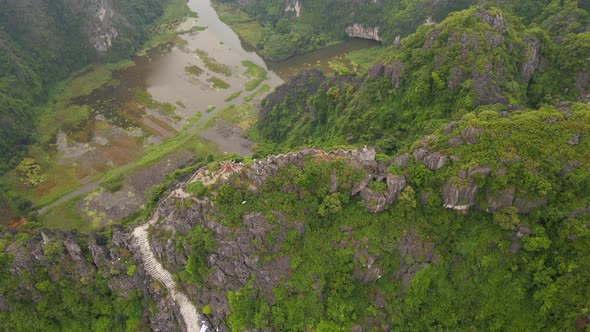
28, 69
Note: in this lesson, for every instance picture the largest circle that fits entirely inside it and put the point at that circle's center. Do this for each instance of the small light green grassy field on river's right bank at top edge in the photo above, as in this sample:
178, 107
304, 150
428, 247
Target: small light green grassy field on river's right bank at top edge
245, 26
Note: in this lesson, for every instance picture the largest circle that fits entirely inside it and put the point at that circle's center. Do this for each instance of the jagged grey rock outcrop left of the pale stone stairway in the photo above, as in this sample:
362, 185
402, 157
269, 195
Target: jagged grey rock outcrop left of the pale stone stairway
81, 258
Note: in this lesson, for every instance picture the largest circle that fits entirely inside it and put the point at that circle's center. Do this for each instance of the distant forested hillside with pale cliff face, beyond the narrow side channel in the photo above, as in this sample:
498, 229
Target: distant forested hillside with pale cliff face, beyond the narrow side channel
295, 26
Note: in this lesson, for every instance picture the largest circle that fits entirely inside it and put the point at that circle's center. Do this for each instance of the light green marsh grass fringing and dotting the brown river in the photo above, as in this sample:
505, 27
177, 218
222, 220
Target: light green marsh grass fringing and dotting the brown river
66, 181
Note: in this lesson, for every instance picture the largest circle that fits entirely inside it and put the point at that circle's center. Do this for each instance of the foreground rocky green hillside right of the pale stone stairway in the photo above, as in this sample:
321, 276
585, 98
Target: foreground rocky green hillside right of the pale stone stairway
482, 224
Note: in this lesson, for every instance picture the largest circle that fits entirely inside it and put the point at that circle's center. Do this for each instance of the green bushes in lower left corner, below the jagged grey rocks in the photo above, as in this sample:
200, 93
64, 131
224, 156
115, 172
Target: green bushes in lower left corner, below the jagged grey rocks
66, 298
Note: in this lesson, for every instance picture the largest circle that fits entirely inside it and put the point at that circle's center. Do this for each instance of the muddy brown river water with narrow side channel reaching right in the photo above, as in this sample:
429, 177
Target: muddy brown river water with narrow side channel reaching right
122, 130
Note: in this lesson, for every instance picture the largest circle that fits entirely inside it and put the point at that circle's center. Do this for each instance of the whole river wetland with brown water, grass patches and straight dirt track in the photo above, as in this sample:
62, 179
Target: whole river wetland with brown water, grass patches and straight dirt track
194, 95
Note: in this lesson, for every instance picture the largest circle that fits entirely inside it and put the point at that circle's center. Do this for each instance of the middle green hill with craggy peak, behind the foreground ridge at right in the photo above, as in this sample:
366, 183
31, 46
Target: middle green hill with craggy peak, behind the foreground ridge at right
480, 56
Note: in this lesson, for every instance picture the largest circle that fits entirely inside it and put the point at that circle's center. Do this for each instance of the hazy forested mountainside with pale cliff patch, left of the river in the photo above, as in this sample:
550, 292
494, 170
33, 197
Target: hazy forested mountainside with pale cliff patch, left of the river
42, 43
